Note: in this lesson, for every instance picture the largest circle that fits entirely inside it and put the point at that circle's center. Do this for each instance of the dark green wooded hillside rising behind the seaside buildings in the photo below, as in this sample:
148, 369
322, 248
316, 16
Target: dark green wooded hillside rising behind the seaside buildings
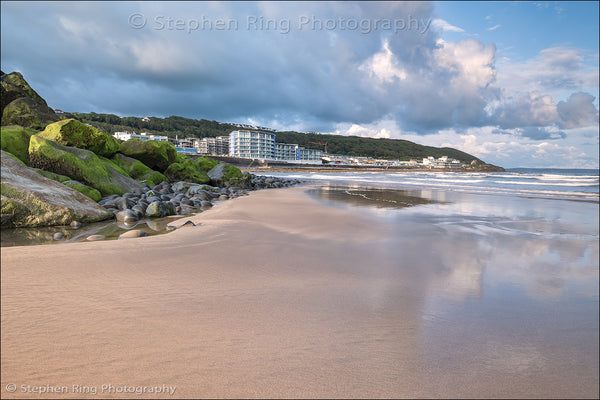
336, 144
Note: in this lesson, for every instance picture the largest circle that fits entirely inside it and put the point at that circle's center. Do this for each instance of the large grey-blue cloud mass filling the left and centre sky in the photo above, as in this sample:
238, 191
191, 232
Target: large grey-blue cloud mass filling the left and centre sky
323, 63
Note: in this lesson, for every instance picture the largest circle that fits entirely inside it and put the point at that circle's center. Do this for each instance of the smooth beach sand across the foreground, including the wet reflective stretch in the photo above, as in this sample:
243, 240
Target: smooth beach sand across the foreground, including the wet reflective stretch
278, 294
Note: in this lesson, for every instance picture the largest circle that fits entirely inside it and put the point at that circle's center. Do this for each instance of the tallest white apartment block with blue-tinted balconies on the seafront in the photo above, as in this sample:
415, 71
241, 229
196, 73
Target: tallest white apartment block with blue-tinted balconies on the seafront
250, 144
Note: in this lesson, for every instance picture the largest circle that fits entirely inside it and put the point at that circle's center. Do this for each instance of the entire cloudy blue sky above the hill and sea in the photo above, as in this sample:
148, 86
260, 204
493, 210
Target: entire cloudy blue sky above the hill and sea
513, 83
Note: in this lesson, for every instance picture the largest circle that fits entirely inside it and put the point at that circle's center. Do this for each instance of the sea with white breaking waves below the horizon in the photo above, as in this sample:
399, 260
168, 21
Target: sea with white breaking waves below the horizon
575, 184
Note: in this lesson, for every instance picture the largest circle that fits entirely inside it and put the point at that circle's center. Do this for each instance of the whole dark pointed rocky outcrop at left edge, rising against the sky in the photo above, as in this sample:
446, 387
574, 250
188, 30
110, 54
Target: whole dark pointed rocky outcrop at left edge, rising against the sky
21, 105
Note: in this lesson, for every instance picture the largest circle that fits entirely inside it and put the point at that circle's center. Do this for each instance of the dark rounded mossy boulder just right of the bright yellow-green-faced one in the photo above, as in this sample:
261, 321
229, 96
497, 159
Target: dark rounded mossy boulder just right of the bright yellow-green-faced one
154, 154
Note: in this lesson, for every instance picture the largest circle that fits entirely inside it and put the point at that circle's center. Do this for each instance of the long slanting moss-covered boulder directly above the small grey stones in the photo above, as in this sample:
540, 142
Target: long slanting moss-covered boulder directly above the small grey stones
83, 165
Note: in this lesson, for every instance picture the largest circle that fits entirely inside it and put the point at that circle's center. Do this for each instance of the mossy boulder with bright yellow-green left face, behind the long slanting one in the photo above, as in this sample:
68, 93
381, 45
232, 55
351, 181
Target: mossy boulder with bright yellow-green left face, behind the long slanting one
70, 132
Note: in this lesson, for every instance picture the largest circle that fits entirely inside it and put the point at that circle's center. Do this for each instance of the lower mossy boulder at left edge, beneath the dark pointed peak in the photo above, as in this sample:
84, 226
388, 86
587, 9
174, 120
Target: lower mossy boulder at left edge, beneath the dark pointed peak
27, 112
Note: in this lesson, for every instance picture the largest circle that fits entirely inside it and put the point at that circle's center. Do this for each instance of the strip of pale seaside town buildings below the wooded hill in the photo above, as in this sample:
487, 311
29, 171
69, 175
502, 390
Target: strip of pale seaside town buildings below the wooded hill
261, 144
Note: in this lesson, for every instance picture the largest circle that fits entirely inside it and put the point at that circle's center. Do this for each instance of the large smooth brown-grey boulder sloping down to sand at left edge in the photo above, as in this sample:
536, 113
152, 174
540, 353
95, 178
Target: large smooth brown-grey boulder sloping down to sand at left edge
29, 200
